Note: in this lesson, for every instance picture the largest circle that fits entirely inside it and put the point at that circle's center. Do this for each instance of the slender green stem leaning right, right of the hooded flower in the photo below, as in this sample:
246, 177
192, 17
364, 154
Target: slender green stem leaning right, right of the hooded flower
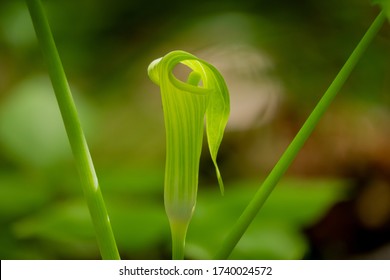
295, 146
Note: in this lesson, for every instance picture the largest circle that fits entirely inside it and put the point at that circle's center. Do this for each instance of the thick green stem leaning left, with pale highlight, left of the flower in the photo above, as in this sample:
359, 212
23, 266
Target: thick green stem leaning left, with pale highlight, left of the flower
93, 195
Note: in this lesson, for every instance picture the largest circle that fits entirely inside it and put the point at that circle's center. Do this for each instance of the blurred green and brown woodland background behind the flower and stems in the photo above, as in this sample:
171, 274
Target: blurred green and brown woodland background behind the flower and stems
277, 57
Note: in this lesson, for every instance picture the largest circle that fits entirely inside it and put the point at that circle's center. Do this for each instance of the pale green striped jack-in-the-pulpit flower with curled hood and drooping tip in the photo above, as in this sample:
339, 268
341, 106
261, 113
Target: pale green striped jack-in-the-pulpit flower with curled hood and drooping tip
186, 105
